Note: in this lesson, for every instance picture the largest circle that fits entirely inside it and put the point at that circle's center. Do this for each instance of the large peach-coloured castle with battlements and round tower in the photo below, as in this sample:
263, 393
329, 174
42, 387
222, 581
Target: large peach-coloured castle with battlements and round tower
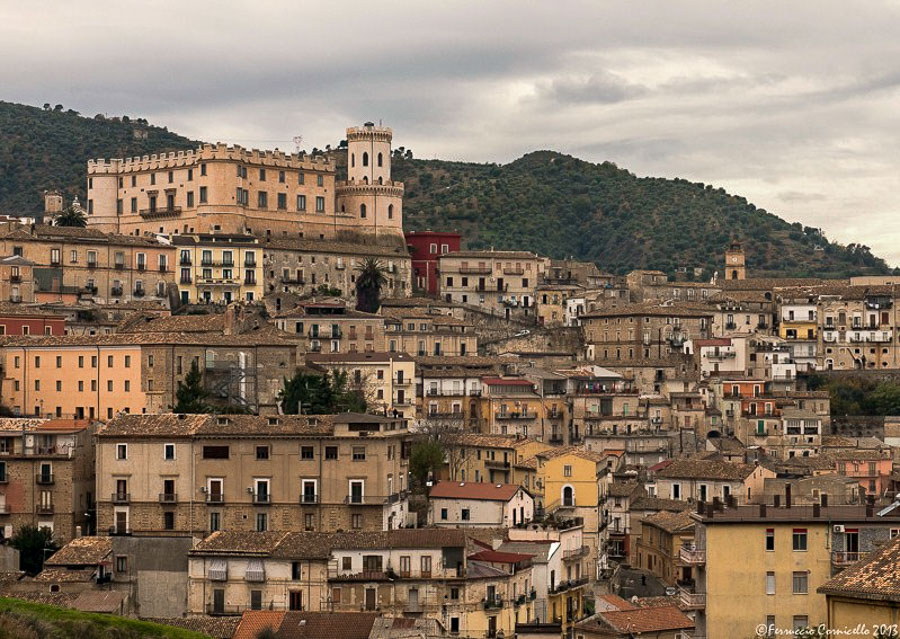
232, 190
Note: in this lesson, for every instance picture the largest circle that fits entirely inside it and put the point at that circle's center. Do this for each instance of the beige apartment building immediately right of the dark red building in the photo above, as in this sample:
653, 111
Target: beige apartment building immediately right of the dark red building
502, 282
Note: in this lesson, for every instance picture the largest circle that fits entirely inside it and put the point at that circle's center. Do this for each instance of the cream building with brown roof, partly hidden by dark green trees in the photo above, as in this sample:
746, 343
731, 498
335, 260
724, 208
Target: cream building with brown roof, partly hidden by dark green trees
386, 380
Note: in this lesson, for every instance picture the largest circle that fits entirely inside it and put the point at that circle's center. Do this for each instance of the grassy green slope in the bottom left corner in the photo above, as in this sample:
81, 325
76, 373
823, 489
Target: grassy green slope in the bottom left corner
26, 620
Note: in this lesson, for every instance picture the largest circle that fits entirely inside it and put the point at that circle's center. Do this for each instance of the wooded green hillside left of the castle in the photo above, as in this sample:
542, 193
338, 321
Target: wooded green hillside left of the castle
49, 148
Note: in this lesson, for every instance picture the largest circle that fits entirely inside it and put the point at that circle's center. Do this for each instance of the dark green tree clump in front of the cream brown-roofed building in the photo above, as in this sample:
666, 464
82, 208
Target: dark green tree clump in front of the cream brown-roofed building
311, 394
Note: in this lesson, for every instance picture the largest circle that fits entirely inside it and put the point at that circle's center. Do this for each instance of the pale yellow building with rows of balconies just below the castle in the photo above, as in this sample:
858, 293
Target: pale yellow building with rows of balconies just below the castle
219, 268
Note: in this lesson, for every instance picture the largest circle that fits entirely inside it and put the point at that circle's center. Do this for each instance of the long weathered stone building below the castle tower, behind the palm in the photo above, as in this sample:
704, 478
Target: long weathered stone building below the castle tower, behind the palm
295, 268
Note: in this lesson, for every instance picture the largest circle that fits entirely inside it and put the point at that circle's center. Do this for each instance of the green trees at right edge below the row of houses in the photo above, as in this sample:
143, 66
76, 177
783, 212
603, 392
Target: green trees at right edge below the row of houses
859, 394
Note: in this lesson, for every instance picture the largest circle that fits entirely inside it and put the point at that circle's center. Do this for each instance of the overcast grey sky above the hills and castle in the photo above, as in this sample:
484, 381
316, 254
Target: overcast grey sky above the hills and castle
794, 105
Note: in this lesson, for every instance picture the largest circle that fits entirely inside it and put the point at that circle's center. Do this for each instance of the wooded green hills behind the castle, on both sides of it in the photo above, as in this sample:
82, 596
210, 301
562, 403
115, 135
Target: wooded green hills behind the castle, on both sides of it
546, 202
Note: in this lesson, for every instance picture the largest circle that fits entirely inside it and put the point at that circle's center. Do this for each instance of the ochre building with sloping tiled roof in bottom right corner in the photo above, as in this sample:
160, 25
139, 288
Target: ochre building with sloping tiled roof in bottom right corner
866, 593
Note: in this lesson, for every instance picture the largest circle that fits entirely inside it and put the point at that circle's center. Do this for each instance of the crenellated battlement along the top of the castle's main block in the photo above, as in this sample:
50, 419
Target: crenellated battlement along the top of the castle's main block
211, 152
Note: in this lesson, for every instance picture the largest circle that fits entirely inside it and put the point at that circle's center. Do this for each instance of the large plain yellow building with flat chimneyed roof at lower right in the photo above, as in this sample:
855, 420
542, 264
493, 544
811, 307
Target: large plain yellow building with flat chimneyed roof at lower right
783, 555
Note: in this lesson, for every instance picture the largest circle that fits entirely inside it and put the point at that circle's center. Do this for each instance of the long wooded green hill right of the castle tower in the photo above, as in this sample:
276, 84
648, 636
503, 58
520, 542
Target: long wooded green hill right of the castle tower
560, 206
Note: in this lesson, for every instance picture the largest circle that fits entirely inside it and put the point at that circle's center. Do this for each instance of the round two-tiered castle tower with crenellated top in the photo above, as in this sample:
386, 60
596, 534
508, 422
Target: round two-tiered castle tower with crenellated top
369, 201
